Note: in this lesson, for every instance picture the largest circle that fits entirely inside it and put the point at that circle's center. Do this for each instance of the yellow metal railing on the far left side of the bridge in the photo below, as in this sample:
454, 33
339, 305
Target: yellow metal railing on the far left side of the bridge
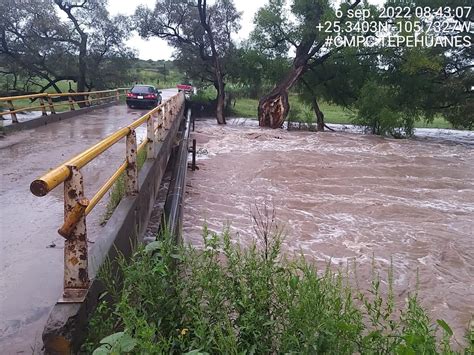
49, 102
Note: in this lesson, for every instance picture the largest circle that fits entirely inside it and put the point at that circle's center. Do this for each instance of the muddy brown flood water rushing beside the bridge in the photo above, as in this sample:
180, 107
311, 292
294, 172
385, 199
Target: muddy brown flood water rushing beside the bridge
348, 198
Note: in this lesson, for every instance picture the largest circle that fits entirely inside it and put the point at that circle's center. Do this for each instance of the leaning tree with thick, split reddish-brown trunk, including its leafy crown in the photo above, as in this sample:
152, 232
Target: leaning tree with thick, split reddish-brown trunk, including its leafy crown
279, 30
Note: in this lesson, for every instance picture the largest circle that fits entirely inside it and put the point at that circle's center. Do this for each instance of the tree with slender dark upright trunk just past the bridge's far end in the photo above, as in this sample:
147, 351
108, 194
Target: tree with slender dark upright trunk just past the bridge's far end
202, 35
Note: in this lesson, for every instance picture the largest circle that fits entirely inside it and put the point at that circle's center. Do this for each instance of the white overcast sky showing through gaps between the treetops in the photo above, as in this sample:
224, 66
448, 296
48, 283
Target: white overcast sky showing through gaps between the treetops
158, 49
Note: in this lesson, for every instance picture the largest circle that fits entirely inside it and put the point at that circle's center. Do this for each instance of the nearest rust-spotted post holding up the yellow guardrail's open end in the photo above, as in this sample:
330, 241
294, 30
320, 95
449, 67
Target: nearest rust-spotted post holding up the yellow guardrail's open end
76, 275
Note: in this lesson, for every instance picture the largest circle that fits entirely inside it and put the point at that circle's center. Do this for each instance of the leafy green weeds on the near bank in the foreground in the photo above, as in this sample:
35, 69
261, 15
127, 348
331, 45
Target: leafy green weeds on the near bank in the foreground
227, 299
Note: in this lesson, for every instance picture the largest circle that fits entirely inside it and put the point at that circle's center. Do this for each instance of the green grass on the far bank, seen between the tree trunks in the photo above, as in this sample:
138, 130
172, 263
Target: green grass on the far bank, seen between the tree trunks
245, 107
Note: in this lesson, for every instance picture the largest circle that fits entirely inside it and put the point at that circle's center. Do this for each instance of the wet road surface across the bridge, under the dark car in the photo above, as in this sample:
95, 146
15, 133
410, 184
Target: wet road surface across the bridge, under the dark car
31, 251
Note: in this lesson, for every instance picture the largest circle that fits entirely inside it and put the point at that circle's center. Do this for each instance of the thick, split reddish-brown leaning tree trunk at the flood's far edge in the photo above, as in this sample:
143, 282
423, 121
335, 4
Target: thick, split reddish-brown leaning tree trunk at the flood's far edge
274, 107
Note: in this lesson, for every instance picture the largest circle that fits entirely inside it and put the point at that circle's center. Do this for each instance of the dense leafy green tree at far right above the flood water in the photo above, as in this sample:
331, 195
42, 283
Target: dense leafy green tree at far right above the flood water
423, 82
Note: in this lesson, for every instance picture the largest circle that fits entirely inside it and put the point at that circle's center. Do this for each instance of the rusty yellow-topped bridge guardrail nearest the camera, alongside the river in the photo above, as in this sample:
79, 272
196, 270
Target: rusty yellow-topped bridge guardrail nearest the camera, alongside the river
76, 206
